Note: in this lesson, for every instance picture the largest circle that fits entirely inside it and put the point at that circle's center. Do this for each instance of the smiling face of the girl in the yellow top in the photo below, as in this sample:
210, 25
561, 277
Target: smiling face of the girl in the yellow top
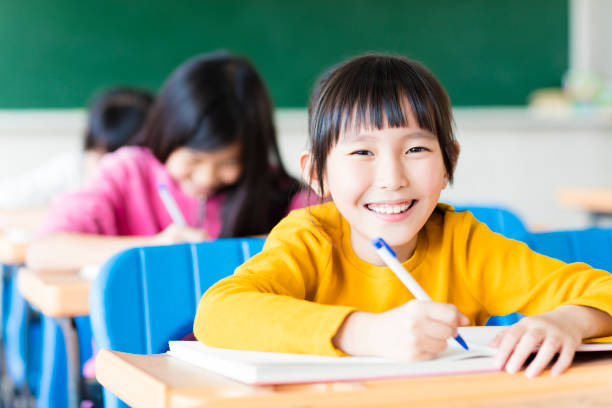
386, 183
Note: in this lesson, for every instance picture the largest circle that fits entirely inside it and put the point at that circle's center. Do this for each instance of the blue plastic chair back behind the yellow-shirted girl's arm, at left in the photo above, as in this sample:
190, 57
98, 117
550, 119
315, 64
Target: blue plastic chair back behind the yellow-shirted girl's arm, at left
144, 297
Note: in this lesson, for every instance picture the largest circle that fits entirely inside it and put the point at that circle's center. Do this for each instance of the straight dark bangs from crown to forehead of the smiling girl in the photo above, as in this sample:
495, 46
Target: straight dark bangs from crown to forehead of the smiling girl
374, 95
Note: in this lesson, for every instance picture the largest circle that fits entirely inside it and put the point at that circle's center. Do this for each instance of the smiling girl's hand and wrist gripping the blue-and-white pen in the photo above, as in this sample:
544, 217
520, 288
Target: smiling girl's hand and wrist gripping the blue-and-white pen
417, 330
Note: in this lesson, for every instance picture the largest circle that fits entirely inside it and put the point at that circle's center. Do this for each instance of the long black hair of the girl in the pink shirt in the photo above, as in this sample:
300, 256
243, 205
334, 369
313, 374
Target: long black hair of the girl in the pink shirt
212, 101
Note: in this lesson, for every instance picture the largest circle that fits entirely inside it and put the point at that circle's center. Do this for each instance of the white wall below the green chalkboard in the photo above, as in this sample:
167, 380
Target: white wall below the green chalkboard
510, 157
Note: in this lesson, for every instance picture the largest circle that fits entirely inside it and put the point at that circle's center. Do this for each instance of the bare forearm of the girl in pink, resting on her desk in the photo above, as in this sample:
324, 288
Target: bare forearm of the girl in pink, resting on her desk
70, 251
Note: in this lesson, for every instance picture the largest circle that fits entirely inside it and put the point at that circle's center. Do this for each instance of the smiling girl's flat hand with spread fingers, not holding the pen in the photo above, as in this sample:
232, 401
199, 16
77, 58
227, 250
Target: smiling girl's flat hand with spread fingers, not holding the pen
553, 334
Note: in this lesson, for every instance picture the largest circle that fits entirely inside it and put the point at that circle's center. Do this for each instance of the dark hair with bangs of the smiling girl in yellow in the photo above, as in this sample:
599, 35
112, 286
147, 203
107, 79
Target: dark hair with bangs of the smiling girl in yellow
372, 91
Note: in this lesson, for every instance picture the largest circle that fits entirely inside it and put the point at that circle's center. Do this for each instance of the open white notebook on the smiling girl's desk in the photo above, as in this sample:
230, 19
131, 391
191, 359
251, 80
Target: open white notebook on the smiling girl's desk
253, 367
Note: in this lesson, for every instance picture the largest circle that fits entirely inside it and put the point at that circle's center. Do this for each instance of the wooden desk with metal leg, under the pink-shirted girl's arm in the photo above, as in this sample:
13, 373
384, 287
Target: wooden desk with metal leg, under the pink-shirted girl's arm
61, 296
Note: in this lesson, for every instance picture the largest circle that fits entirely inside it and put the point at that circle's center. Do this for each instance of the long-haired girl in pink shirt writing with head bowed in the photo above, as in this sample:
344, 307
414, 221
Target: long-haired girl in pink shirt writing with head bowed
211, 141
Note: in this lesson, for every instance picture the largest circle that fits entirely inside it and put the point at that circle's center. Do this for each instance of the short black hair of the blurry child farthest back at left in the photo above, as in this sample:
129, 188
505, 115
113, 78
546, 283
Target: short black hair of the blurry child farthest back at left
115, 117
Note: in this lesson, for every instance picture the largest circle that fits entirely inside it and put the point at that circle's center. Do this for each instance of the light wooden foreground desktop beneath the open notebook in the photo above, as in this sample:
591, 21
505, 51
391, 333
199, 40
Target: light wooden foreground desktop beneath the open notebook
162, 381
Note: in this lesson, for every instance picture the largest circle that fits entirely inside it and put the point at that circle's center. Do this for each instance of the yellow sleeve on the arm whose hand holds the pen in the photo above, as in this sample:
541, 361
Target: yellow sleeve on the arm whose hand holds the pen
264, 305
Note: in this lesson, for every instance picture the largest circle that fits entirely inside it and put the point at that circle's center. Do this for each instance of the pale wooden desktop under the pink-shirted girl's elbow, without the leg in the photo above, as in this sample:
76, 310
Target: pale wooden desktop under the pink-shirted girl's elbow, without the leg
57, 294
